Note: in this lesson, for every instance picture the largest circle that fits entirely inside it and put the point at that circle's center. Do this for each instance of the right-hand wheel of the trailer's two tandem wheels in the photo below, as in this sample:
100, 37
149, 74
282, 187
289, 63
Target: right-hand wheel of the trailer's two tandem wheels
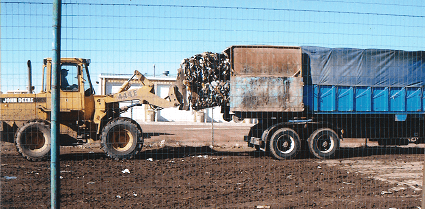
323, 143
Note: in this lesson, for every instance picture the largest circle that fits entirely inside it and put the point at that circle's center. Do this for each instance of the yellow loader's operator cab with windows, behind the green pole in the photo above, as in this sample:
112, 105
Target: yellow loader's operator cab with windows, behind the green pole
76, 89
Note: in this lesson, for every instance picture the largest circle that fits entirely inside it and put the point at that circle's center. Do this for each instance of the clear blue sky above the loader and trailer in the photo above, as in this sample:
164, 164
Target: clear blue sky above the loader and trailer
122, 36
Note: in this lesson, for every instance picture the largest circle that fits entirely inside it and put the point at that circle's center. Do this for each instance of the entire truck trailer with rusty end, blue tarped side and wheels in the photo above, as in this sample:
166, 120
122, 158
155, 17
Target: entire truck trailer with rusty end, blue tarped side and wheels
310, 98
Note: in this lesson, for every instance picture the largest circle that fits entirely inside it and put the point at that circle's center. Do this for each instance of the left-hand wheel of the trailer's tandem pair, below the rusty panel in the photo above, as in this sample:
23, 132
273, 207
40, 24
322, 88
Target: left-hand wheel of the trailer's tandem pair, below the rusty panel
284, 144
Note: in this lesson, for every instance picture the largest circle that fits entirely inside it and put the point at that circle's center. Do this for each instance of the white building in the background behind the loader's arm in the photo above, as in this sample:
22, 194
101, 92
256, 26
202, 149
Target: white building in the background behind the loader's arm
110, 83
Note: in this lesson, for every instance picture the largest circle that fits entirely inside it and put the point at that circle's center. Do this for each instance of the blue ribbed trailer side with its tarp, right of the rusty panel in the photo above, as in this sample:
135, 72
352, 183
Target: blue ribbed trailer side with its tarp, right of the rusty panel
372, 81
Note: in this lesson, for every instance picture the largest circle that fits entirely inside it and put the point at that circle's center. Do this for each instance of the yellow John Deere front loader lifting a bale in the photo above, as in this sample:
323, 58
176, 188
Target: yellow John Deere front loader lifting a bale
84, 116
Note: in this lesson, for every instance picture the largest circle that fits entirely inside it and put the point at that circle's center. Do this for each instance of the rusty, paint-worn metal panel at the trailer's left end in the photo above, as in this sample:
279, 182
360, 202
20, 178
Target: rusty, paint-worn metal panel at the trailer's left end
266, 79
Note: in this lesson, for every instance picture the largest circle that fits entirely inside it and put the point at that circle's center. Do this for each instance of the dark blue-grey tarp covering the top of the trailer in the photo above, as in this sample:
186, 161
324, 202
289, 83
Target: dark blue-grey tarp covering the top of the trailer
364, 67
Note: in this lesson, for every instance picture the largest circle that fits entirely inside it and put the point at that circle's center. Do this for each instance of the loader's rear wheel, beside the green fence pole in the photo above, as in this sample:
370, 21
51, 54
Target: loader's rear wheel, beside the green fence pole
33, 141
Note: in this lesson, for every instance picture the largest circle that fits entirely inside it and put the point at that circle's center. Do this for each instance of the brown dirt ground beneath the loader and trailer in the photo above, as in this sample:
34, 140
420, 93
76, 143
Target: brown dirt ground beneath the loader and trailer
179, 168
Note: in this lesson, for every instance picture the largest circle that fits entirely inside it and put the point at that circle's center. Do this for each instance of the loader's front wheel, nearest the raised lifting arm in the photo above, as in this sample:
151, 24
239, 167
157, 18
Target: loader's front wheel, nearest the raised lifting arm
122, 139
